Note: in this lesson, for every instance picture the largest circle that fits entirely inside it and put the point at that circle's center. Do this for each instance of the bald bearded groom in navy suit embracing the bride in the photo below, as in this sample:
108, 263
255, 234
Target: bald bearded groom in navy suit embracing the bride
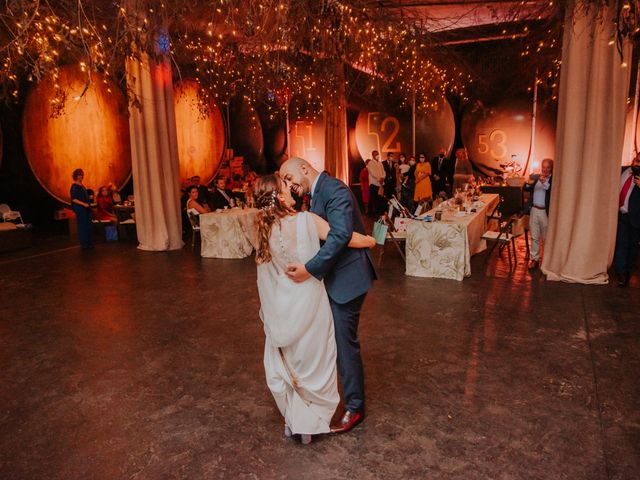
348, 274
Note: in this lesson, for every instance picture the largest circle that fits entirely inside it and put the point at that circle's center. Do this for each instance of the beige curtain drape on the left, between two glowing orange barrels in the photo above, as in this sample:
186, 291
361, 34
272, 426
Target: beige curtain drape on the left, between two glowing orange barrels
154, 154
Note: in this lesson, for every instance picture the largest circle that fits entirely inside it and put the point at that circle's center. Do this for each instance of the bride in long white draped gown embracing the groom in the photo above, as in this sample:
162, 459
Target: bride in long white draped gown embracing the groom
300, 346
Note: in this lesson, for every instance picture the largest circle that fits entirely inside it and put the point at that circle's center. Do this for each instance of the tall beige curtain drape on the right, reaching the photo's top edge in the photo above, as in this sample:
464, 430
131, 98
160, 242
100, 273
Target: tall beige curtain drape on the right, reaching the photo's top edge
590, 133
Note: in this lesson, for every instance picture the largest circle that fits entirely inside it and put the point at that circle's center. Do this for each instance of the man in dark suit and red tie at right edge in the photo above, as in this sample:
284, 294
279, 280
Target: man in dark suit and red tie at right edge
628, 234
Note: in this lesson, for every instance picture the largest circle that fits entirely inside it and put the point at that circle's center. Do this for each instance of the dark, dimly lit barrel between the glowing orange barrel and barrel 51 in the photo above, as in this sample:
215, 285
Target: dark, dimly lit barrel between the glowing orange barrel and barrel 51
246, 135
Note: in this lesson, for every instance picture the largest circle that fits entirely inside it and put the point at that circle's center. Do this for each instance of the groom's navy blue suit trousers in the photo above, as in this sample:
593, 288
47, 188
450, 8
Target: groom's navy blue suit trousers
346, 317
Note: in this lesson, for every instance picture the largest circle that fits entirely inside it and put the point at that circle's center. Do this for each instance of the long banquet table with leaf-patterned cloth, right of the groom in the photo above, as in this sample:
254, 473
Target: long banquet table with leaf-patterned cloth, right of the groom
443, 249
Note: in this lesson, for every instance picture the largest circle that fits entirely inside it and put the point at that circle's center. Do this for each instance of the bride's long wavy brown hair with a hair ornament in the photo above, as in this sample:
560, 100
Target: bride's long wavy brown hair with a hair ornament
270, 211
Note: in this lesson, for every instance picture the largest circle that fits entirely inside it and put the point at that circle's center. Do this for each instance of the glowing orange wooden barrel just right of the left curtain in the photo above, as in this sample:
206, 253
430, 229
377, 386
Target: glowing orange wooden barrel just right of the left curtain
200, 133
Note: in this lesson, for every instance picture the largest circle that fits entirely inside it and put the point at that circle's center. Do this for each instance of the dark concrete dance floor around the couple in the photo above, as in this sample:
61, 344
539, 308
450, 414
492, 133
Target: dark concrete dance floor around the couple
122, 364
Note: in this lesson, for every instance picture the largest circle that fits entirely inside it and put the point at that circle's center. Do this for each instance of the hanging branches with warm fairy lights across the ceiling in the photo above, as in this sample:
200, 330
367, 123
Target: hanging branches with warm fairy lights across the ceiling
258, 49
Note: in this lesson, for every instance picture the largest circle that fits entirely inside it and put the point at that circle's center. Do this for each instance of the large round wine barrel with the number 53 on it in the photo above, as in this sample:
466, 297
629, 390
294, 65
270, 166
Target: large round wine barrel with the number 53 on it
499, 135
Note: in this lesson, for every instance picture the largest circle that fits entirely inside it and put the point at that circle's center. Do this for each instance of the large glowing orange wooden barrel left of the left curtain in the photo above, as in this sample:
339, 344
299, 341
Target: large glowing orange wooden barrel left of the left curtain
92, 132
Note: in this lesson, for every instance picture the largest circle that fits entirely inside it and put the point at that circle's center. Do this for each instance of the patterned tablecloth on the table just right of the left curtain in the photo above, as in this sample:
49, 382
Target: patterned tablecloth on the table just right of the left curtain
229, 233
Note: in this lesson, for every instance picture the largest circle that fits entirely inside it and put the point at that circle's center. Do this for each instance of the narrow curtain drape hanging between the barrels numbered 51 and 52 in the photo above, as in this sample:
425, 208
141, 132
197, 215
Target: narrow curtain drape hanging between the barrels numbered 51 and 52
336, 157
